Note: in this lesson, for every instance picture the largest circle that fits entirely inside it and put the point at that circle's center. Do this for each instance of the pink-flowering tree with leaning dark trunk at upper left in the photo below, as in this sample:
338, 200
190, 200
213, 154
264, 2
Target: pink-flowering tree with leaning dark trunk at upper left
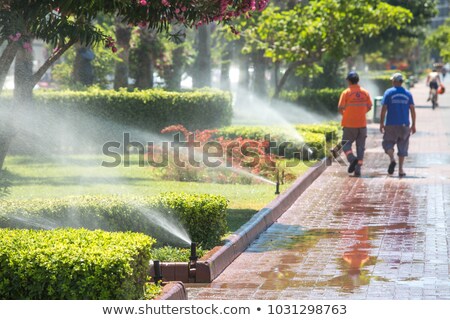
63, 23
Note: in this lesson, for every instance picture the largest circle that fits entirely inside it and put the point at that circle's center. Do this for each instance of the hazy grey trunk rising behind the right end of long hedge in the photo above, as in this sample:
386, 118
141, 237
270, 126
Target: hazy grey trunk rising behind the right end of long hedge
202, 67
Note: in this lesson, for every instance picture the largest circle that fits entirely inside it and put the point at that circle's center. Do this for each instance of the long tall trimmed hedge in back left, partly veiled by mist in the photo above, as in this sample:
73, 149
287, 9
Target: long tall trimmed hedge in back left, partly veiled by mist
147, 109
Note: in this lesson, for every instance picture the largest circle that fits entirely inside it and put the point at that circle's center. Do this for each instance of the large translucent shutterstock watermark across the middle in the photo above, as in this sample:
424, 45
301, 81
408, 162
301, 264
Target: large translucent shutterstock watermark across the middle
187, 151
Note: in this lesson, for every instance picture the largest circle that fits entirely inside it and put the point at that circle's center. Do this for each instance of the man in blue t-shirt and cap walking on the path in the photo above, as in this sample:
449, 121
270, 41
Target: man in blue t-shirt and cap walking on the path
397, 105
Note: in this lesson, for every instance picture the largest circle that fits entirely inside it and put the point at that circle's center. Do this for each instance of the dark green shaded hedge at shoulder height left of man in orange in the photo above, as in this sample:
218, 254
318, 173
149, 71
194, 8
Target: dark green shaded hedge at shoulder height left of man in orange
316, 99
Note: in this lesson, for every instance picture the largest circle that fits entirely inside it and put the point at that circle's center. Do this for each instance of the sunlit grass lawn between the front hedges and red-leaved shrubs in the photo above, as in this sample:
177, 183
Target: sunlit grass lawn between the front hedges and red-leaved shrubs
60, 176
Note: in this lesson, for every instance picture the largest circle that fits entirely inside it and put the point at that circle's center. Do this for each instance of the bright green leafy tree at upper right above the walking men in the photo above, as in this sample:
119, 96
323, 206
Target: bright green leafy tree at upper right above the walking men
300, 37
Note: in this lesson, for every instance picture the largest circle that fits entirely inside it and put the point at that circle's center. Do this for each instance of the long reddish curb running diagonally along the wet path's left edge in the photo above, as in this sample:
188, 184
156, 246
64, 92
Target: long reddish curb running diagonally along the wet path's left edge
214, 262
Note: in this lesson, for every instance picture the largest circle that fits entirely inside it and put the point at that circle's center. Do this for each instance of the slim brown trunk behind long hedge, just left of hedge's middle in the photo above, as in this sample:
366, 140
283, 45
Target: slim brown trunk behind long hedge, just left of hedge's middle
123, 37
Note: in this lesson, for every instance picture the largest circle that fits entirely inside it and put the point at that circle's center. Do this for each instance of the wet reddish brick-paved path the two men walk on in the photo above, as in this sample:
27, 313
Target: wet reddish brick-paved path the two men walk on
376, 237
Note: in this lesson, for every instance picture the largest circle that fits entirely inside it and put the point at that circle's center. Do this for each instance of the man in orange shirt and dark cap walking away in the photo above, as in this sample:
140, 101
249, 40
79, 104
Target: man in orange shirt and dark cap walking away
354, 103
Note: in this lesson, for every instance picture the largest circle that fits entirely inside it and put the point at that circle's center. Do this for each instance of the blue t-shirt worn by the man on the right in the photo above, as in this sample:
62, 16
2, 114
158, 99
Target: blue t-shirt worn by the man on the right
398, 100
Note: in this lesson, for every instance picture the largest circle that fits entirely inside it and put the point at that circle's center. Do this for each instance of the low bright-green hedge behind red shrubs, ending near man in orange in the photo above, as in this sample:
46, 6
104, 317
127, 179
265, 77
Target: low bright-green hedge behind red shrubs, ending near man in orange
302, 137
